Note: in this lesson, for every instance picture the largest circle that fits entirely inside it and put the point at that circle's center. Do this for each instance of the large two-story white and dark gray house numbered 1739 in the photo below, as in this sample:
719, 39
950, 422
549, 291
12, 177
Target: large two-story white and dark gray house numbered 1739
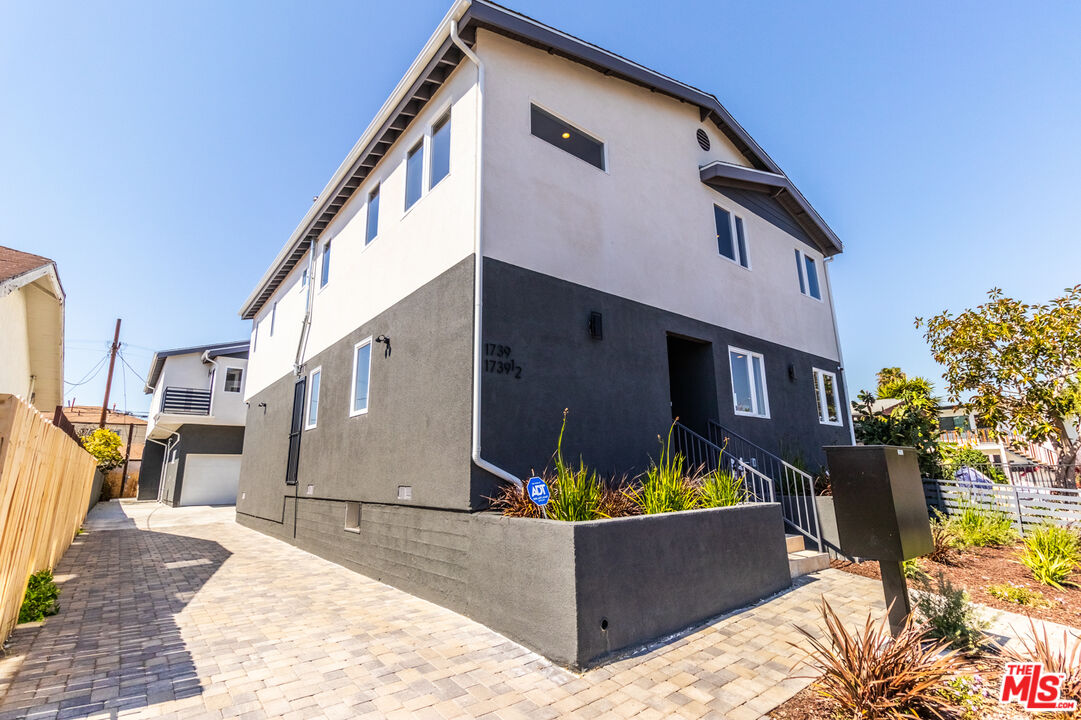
564, 230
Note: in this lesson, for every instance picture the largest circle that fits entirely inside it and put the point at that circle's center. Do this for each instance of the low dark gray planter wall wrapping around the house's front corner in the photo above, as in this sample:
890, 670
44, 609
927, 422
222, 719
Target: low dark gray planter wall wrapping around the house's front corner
548, 584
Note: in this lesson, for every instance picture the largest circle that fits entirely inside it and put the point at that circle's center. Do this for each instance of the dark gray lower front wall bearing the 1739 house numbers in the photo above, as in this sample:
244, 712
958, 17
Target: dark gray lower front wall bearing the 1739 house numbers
618, 389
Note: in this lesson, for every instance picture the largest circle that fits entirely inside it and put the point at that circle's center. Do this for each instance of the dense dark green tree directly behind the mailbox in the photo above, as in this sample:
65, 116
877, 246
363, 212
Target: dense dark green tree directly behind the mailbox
913, 423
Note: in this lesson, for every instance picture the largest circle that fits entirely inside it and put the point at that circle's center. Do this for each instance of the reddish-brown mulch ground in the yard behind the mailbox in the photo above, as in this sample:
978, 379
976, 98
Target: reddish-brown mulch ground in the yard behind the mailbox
980, 567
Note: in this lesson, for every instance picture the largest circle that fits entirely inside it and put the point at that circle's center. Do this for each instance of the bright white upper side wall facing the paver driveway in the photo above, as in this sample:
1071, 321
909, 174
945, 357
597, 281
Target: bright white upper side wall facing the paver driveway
412, 248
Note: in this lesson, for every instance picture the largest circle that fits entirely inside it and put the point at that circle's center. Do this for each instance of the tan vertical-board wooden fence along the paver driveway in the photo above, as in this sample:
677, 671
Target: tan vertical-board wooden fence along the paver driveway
46, 479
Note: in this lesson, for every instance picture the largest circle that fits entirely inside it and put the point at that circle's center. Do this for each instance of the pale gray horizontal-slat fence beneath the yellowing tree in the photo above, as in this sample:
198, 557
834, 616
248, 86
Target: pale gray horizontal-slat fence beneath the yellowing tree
1029, 506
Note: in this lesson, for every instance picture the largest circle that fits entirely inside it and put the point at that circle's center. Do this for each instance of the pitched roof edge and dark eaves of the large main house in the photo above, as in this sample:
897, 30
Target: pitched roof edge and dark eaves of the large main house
438, 59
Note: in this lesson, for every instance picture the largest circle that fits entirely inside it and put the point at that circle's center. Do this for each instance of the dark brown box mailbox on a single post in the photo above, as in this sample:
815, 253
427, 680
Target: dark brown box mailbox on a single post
882, 514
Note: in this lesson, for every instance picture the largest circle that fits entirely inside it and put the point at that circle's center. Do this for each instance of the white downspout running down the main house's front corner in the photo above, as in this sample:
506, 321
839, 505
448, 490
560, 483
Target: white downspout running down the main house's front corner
479, 266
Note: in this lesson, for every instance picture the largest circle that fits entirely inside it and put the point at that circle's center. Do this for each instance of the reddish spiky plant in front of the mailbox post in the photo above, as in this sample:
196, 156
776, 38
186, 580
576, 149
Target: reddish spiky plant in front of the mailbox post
874, 676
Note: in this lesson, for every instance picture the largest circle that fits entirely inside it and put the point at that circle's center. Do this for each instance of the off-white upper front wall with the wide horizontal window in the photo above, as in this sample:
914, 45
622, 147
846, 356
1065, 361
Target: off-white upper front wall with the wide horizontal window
644, 230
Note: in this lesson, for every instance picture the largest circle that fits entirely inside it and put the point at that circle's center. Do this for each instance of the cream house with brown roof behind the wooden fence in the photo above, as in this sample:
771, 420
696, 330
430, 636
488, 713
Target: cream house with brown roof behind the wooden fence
32, 325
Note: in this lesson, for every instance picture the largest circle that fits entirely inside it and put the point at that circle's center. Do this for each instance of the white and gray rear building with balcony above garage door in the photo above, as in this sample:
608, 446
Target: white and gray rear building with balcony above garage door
196, 429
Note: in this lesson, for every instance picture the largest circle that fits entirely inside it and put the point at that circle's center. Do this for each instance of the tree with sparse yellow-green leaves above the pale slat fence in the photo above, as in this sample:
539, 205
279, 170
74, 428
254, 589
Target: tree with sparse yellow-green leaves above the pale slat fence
1021, 366
